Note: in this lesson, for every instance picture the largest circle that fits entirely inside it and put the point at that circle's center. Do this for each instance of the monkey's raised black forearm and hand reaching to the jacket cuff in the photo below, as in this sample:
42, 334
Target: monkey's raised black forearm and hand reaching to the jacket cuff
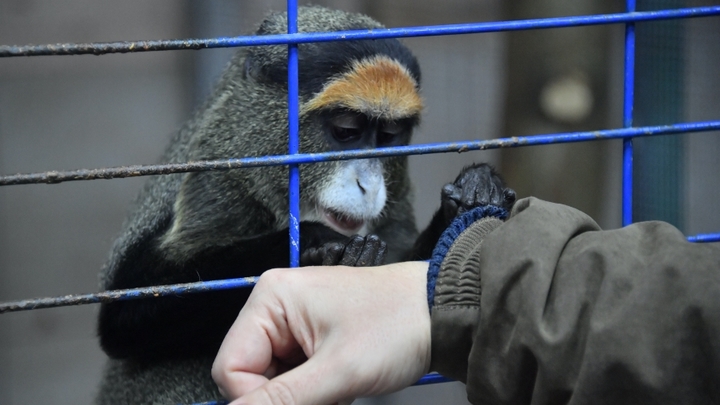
476, 185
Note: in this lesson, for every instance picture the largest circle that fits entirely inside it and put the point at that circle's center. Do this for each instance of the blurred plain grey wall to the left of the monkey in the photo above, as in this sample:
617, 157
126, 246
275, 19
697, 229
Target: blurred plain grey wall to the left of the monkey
73, 112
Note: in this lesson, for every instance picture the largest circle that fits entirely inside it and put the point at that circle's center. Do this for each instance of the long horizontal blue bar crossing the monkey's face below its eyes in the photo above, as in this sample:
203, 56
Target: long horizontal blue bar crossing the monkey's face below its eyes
53, 177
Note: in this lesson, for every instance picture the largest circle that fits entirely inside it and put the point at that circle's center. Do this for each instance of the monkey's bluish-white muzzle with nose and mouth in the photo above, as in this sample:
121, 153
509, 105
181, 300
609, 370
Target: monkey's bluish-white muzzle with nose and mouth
354, 196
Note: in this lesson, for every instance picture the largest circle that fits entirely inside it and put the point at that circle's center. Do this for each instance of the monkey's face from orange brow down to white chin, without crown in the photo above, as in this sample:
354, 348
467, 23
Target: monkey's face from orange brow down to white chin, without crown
375, 103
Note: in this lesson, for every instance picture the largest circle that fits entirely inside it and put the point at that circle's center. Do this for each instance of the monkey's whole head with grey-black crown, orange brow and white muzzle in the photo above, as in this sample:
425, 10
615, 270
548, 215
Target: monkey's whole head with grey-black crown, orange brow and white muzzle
354, 95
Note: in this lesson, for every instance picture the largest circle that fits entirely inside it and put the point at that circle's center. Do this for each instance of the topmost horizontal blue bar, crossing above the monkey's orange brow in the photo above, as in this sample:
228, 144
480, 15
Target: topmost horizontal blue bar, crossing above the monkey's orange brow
100, 48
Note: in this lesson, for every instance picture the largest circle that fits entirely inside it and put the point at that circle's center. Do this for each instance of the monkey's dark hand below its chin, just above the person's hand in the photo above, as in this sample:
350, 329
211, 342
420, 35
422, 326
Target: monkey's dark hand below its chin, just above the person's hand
357, 251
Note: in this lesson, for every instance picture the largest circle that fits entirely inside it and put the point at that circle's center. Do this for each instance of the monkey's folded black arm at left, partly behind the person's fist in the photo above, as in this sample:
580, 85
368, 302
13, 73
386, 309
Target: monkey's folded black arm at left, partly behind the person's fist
194, 323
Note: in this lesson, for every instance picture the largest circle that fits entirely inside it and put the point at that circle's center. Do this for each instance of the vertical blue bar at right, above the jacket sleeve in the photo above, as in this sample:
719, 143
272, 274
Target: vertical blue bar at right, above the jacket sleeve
628, 101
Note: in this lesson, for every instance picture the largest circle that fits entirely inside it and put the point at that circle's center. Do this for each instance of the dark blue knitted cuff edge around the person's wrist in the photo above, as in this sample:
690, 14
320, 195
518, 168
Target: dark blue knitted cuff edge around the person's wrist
448, 237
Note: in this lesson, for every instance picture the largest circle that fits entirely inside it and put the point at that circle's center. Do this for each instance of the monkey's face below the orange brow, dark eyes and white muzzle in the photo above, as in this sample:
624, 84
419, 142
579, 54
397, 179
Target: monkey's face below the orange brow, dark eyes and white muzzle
354, 193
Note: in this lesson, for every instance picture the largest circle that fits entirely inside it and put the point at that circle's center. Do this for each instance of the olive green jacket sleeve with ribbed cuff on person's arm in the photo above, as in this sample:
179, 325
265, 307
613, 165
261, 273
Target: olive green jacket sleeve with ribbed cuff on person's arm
546, 308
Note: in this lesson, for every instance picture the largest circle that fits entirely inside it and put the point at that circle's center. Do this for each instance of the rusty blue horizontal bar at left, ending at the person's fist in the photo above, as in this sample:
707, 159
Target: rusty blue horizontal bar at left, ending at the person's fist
127, 294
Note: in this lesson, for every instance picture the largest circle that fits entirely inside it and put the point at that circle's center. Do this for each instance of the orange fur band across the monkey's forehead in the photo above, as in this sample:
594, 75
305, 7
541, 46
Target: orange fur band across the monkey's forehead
377, 86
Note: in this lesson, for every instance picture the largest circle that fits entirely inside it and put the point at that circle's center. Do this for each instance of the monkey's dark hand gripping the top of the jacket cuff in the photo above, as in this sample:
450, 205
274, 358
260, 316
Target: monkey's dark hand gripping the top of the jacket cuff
477, 185
